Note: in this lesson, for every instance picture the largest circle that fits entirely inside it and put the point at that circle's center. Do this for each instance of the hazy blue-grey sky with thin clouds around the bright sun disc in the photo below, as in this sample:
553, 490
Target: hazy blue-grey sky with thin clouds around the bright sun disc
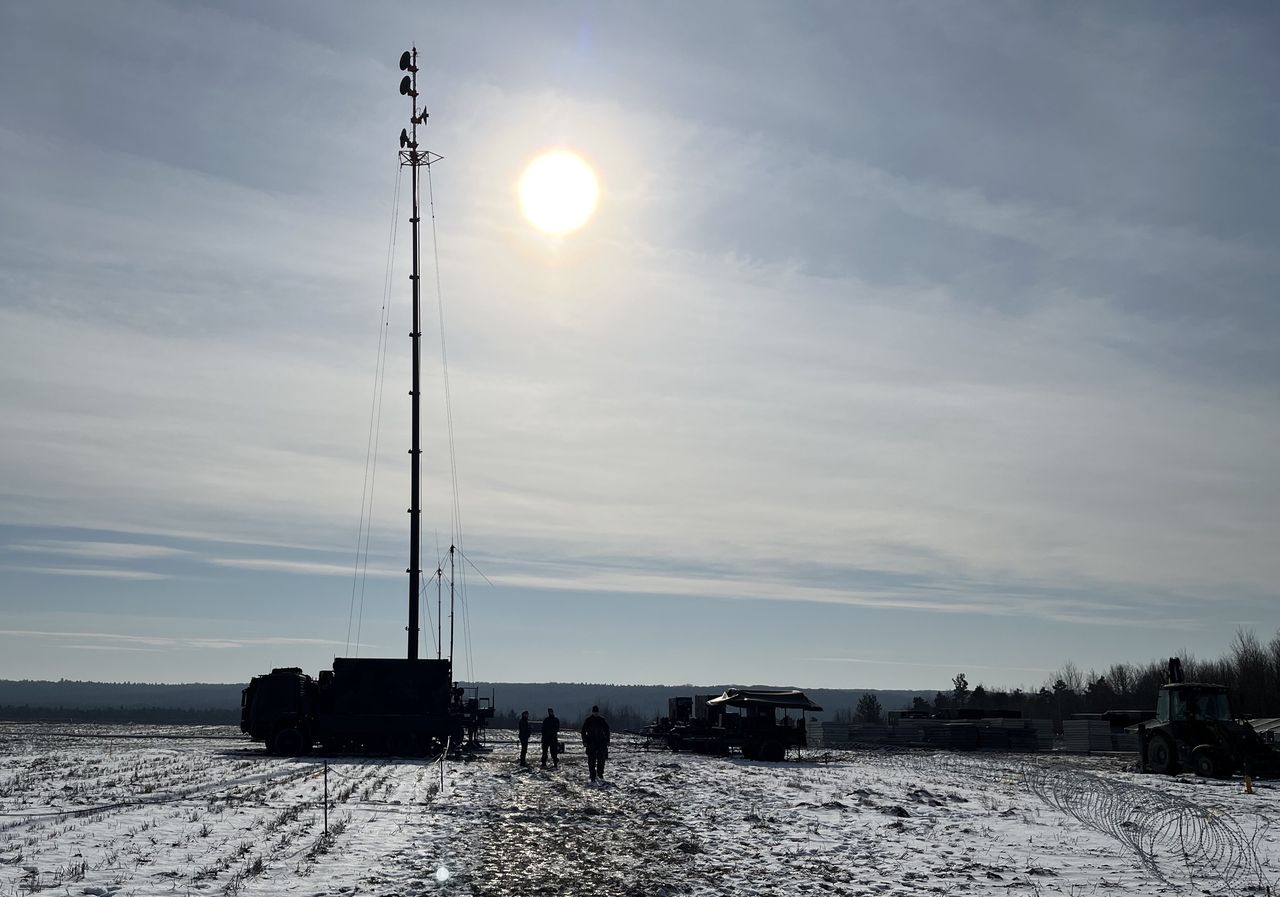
907, 340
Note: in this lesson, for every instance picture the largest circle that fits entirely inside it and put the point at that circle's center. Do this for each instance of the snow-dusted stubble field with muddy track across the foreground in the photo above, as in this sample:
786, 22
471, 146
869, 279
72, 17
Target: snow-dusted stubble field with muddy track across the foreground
117, 811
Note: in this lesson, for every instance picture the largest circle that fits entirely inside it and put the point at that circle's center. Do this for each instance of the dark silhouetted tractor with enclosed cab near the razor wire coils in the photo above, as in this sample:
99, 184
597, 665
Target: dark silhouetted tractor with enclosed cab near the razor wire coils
1195, 730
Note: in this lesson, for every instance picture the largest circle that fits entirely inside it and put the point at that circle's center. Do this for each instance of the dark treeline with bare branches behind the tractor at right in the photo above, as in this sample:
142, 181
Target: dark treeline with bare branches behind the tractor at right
1250, 670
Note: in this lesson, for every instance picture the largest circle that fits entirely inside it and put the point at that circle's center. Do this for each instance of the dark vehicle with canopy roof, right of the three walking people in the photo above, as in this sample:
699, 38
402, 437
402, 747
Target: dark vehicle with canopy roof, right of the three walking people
743, 720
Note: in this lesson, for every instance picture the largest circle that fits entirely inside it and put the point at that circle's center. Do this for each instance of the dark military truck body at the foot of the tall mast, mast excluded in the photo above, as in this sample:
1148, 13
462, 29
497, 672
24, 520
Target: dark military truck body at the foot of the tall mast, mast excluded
382, 706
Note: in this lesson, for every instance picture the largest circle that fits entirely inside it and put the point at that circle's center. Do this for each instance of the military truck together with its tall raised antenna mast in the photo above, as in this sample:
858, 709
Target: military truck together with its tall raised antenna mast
377, 704
